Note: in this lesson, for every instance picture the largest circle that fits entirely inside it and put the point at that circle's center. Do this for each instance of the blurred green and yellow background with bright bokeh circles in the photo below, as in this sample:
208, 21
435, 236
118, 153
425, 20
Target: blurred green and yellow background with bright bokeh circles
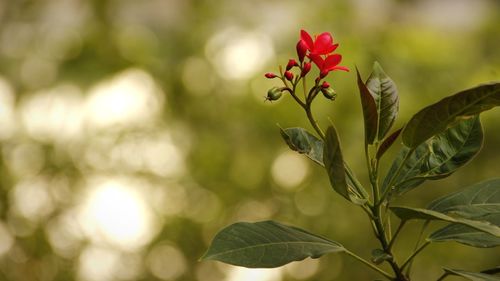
132, 131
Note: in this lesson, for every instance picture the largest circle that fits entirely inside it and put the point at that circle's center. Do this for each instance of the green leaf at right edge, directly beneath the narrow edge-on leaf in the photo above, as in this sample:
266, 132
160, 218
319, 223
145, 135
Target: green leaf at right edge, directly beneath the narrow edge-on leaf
466, 235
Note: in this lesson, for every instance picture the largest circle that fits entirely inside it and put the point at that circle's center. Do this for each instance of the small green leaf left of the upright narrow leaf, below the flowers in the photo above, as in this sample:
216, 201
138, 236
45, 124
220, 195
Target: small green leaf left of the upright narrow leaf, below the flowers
300, 140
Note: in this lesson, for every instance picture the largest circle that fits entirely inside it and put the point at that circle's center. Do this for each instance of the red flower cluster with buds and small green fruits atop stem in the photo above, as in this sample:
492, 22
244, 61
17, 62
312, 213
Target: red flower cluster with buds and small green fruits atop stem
319, 51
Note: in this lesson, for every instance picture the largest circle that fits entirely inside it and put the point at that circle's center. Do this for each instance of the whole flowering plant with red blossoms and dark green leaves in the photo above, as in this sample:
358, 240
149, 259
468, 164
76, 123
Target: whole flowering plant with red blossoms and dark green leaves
437, 140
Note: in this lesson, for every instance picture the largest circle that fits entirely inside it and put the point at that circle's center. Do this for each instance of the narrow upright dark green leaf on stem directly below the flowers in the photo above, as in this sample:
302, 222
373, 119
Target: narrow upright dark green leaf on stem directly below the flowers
334, 163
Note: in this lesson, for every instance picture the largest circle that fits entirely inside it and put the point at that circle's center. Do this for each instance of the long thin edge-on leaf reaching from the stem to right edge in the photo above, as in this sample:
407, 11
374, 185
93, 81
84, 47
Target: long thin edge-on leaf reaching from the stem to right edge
405, 213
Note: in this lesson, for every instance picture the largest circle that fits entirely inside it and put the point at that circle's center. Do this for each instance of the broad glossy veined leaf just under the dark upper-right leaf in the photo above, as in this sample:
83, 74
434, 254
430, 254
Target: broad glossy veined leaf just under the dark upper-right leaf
436, 158
